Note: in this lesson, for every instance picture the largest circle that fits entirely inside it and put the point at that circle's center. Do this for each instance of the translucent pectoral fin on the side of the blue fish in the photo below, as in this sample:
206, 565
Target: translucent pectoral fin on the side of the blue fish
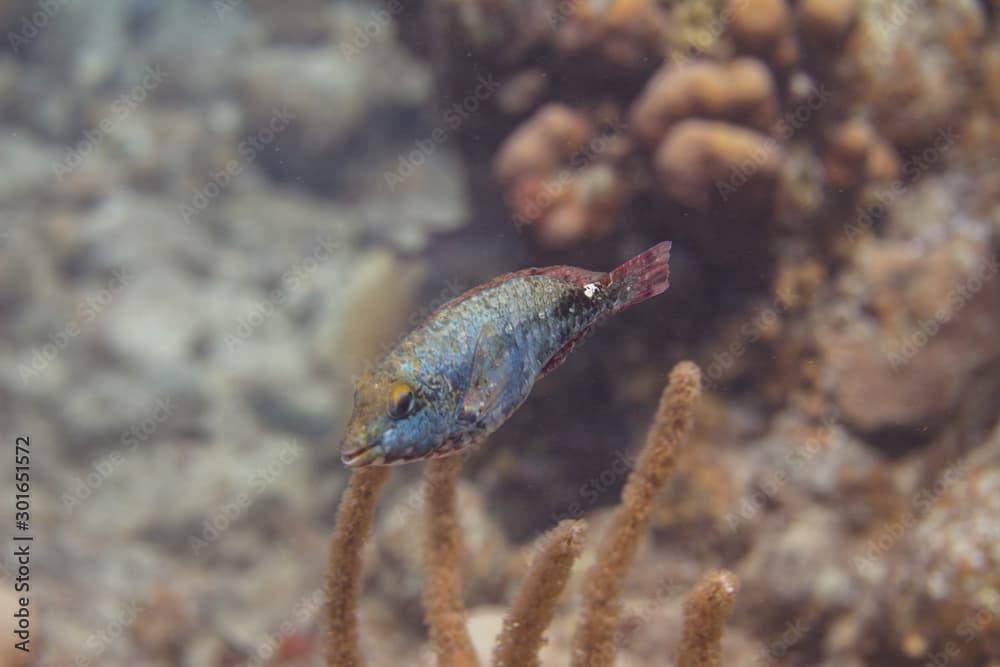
493, 366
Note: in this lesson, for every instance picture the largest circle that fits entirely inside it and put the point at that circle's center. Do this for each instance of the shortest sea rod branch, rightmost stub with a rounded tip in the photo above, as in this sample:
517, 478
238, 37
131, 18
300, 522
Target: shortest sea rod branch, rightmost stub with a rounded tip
705, 611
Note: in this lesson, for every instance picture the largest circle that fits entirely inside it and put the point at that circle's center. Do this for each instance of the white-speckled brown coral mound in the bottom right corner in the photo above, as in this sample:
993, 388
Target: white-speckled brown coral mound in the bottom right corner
943, 597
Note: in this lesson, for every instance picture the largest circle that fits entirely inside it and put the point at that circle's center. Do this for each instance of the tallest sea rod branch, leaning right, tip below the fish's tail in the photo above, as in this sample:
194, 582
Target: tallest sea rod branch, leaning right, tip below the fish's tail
594, 642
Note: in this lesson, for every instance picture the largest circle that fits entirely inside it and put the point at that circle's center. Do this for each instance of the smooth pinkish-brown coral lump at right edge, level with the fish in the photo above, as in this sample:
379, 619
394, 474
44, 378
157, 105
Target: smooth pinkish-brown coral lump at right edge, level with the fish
925, 302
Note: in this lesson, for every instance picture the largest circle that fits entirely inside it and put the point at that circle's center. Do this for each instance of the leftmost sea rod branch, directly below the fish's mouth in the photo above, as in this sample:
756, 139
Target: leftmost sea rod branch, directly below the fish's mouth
343, 579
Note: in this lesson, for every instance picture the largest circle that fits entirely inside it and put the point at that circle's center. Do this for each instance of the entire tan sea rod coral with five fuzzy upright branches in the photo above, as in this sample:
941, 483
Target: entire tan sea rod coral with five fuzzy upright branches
594, 643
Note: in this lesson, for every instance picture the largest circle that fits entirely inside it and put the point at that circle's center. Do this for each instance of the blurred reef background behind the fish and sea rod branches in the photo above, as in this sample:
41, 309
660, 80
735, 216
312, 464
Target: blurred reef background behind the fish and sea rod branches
215, 215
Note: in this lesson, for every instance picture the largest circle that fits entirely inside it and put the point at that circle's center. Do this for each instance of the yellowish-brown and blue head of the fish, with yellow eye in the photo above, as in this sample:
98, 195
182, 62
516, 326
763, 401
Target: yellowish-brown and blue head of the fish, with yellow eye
394, 420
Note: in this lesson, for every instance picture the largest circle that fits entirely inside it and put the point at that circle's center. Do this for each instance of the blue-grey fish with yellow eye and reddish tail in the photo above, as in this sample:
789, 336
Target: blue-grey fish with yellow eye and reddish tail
456, 378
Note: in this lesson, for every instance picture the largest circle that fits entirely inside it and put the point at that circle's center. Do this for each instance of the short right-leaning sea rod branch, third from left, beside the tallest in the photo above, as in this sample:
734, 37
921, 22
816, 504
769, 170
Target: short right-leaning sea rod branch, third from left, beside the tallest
535, 603
